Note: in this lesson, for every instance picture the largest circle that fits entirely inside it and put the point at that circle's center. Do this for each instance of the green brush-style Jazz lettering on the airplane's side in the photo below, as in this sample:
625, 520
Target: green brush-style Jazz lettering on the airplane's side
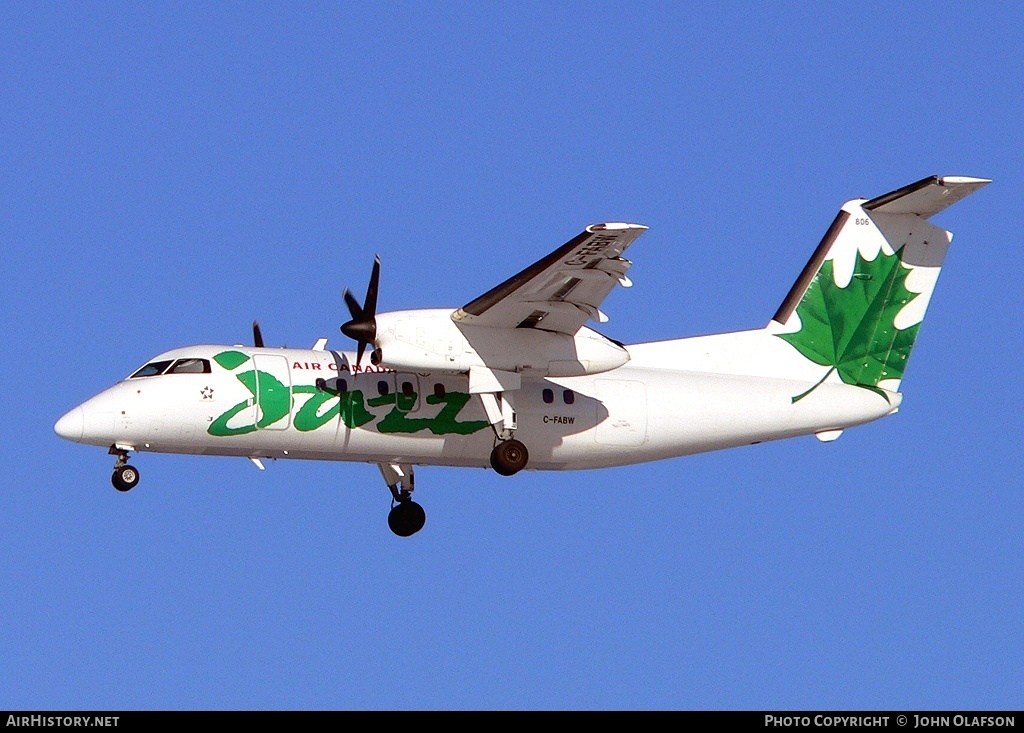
275, 401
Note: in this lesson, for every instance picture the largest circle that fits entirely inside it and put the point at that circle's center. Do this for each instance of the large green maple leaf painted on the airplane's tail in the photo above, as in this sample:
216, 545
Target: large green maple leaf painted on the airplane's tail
851, 330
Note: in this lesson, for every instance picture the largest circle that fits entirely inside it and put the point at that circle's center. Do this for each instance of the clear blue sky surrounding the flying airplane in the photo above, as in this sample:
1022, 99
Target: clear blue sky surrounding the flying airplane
170, 174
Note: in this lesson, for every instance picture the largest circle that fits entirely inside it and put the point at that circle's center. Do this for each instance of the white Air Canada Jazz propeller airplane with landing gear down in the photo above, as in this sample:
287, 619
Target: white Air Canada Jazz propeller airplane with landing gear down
516, 380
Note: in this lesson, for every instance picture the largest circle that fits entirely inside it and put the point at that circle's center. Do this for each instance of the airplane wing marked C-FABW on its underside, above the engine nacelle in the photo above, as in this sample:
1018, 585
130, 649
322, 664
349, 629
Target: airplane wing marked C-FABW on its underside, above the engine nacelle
562, 292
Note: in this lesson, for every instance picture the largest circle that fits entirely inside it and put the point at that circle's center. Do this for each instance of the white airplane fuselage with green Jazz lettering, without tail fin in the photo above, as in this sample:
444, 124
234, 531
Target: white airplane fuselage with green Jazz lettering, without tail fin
266, 403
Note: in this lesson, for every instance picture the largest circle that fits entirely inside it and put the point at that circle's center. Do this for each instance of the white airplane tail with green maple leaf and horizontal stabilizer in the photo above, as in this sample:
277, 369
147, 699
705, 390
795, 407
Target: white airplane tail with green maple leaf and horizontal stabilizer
859, 305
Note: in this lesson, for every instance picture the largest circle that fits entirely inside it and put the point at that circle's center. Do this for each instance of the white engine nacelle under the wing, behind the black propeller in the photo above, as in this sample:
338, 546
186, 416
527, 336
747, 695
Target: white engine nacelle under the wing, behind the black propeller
430, 341
